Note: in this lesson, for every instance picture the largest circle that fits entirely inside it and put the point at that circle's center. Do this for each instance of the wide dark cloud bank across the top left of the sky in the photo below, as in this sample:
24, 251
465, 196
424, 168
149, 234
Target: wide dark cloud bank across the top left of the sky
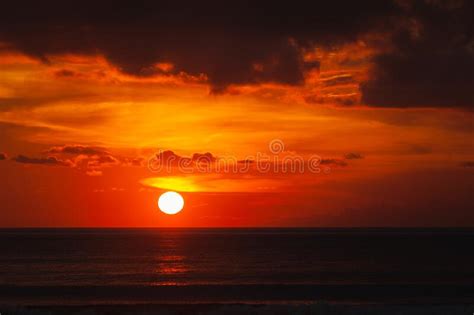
230, 42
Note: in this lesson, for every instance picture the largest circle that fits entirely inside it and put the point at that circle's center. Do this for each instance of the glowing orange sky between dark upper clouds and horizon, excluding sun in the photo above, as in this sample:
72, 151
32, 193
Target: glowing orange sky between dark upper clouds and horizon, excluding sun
79, 132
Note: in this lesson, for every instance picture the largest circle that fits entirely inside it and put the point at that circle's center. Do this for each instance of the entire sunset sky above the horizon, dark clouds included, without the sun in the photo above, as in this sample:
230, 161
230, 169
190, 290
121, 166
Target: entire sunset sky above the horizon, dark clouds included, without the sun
325, 114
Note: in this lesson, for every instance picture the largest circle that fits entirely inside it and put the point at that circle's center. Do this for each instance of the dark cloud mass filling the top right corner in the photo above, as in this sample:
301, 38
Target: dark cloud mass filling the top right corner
432, 62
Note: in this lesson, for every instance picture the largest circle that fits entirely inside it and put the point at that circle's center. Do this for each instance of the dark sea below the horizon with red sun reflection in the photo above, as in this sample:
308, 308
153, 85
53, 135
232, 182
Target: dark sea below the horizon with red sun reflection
235, 264
